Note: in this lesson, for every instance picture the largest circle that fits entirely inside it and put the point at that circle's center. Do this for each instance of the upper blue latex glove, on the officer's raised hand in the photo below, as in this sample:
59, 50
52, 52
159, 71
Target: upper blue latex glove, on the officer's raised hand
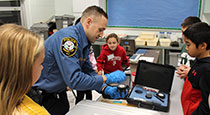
115, 77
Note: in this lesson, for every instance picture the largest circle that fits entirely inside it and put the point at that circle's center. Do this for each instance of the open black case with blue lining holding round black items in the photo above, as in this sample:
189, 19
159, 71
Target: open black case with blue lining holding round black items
152, 86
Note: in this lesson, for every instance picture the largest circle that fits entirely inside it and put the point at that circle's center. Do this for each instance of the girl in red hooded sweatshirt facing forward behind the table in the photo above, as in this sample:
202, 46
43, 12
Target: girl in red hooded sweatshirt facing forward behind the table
112, 55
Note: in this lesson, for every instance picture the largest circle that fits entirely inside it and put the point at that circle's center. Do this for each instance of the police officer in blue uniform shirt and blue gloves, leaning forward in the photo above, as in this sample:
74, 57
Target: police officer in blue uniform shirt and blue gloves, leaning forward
67, 63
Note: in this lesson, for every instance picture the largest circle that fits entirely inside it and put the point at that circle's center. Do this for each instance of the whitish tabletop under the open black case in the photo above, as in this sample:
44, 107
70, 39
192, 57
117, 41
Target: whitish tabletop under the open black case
87, 107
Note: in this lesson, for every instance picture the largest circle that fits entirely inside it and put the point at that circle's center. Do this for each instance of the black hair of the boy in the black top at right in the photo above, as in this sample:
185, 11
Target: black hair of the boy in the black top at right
199, 33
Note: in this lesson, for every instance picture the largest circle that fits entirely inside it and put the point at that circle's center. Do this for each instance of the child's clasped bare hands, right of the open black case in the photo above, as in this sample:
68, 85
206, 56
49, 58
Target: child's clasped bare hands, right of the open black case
182, 71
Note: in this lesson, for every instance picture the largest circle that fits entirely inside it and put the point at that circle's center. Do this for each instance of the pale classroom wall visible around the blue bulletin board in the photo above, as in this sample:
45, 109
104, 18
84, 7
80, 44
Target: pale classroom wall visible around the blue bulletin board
42, 10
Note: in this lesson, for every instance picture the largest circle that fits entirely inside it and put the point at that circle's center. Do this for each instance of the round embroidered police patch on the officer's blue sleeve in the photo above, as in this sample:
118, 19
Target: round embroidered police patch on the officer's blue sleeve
69, 46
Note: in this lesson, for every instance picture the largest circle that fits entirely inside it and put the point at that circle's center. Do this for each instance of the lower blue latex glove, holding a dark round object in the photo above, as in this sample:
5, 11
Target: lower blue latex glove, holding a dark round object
113, 93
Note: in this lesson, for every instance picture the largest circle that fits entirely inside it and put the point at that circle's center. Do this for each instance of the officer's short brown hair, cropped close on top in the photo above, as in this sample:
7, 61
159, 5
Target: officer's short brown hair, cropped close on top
93, 11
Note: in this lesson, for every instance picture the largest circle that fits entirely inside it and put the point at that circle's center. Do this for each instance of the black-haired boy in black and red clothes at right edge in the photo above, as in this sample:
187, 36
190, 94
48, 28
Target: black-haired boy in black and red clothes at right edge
197, 39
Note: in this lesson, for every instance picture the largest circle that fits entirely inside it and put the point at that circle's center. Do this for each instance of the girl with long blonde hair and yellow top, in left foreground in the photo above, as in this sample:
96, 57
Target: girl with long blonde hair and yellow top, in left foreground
21, 57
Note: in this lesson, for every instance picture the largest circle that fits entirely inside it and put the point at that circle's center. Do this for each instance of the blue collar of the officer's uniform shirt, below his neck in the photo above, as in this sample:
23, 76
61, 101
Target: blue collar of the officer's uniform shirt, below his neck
84, 39
